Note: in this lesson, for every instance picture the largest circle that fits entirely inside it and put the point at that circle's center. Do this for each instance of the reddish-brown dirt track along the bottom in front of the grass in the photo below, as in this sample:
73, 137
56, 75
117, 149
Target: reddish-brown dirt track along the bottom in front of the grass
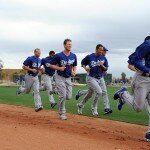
23, 129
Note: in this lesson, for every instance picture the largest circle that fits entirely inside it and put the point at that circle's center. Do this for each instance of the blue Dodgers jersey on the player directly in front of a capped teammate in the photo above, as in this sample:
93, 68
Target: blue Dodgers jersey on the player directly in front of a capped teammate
93, 62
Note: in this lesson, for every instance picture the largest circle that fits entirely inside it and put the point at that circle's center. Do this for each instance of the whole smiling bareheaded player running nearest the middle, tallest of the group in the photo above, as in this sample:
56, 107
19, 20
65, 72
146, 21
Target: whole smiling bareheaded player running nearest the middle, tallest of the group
66, 64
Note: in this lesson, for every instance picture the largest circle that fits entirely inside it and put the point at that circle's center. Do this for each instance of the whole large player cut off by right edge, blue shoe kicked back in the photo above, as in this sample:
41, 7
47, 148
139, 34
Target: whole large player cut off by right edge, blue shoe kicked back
140, 84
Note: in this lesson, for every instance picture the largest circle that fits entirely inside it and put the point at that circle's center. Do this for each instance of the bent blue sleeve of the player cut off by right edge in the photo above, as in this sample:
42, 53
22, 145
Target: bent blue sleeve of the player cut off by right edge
139, 56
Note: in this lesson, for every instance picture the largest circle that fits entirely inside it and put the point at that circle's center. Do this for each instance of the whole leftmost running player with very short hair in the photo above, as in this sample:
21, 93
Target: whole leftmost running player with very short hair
32, 65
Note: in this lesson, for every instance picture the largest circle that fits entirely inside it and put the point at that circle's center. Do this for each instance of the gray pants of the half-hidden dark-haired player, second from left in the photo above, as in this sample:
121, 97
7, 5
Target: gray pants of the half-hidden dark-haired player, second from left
48, 86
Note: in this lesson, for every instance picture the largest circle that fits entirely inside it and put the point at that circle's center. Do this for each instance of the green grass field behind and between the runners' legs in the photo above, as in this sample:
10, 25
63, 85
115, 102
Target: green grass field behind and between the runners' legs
8, 96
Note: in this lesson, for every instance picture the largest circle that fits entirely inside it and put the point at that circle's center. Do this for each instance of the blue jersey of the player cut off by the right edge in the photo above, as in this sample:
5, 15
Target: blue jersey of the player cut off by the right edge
143, 53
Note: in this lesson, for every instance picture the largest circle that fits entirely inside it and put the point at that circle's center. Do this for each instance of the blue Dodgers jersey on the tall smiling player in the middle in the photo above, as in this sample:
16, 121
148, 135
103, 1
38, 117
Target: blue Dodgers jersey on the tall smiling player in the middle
62, 60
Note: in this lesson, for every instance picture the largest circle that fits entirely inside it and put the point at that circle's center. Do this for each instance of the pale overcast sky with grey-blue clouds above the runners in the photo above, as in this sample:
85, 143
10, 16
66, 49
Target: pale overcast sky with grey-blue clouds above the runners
120, 25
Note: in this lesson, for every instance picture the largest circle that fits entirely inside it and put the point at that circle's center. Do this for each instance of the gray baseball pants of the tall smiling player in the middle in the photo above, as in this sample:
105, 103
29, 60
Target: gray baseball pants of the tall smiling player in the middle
64, 89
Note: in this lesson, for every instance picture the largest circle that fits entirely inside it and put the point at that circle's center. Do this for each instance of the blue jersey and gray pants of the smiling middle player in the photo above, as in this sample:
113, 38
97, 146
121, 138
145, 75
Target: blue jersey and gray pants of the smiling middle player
63, 78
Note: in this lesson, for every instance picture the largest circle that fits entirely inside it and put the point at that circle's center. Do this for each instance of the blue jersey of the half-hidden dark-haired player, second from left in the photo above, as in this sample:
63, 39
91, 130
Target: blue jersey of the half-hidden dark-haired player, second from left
46, 62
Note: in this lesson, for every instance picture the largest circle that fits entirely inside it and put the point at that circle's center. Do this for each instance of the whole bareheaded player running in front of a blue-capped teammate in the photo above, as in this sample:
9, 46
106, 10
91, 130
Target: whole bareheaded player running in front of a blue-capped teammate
94, 64
